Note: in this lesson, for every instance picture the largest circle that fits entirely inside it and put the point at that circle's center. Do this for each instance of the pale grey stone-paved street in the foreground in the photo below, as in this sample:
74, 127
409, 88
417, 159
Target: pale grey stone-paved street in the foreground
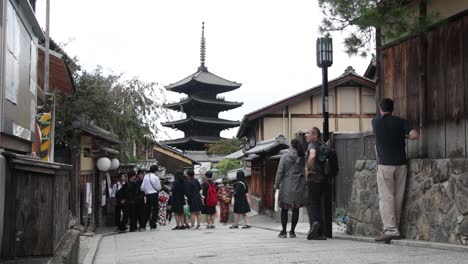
256, 245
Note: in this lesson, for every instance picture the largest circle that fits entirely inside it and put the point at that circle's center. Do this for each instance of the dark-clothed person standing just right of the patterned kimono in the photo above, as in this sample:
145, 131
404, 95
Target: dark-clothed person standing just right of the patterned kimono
178, 199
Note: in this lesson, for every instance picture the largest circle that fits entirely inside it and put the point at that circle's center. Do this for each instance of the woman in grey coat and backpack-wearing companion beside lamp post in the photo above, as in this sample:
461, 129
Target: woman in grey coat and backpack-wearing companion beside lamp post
301, 182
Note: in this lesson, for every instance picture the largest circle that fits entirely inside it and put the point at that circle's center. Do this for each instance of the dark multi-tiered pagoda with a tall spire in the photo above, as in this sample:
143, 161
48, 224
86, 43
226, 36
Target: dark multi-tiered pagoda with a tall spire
202, 106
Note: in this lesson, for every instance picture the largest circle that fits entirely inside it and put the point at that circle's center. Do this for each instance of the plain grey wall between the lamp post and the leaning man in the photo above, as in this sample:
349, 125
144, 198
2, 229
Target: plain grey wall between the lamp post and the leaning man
350, 147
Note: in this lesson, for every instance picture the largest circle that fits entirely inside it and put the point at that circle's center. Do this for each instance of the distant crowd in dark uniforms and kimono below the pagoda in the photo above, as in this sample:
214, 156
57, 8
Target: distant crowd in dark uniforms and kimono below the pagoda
141, 198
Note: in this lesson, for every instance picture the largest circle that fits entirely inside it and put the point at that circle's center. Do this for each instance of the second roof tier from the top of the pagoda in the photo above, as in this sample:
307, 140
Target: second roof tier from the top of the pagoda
193, 101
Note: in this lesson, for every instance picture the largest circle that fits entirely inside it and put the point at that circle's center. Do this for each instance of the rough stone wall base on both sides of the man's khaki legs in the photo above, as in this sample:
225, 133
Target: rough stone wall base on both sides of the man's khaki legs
435, 205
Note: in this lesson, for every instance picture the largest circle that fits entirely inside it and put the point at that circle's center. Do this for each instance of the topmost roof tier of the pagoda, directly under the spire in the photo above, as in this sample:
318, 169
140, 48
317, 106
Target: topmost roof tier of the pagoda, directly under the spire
203, 80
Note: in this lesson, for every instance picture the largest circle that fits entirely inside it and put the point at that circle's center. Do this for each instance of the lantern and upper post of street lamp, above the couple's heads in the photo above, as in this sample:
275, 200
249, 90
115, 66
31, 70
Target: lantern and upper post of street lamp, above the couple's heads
325, 60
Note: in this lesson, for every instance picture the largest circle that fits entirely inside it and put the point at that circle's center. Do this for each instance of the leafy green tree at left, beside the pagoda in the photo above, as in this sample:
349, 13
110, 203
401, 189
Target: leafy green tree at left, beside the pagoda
127, 108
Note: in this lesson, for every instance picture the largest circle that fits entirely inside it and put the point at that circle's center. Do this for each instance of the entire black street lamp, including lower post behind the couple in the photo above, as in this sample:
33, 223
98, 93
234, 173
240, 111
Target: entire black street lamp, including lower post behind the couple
325, 60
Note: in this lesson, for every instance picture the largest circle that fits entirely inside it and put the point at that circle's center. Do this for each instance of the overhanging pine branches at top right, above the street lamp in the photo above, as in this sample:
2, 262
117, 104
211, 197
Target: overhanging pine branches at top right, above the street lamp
363, 17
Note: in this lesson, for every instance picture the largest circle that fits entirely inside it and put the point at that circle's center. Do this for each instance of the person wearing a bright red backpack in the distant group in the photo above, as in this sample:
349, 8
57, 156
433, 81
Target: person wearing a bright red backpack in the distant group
210, 197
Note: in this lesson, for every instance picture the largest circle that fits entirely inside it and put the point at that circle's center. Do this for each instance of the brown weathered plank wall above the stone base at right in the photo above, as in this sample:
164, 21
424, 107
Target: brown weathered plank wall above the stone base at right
427, 76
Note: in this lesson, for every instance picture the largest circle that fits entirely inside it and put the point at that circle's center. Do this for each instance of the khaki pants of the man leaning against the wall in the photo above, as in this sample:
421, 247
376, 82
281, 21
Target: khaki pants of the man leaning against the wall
391, 181
